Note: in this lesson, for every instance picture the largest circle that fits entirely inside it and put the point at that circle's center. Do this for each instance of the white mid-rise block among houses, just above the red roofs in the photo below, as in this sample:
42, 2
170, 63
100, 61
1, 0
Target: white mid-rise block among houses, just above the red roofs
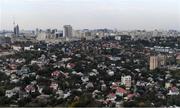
126, 80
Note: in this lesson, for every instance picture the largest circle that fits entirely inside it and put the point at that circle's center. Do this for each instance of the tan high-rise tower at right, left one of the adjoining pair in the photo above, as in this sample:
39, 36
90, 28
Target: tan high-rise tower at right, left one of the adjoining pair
153, 62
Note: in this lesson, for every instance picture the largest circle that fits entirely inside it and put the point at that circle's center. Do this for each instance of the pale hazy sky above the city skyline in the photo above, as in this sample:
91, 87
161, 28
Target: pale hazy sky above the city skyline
120, 14
